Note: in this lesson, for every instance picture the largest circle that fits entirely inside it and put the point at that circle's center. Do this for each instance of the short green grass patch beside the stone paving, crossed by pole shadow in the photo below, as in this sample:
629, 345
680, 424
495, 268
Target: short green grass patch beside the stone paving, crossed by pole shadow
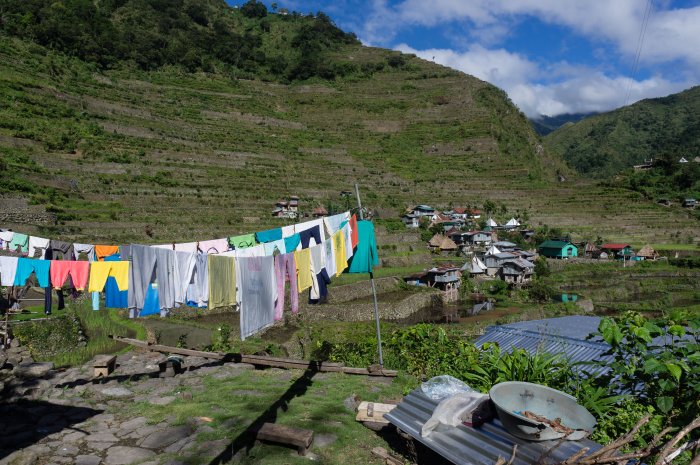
315, 403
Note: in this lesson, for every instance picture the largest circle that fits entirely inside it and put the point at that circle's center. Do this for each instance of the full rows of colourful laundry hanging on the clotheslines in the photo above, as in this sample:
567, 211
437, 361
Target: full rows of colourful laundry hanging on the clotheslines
250, 277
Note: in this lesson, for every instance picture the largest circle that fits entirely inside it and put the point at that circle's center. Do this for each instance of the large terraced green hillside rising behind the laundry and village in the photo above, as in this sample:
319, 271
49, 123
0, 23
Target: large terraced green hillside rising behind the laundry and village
117, 151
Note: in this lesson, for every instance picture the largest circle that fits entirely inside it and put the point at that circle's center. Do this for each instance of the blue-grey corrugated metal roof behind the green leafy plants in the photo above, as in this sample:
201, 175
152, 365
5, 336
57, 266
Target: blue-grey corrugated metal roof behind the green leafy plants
565, 335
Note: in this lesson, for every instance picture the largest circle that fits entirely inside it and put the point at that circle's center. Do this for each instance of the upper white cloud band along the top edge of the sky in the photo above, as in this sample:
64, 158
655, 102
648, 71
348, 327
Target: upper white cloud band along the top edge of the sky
672, 34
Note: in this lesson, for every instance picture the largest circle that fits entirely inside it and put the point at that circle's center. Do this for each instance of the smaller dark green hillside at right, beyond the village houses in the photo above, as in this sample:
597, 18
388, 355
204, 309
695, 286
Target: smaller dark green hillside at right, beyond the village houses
604, 145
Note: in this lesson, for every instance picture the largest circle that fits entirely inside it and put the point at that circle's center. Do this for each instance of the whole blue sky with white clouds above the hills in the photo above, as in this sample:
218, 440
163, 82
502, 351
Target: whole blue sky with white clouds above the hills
551, 56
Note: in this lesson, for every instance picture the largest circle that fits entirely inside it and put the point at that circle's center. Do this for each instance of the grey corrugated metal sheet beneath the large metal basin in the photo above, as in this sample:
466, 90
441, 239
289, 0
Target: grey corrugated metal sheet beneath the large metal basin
464, 445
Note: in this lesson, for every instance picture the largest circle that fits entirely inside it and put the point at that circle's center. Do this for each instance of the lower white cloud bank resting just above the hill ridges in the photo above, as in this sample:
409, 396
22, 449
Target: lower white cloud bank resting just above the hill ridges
576, 90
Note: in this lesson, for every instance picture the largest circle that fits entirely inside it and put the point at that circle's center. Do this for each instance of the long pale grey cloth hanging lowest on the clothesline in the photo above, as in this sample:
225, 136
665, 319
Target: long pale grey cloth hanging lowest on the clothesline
258, 291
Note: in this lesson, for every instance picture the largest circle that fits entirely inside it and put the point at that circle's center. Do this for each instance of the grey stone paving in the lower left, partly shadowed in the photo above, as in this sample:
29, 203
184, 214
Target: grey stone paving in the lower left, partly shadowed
51, 417
